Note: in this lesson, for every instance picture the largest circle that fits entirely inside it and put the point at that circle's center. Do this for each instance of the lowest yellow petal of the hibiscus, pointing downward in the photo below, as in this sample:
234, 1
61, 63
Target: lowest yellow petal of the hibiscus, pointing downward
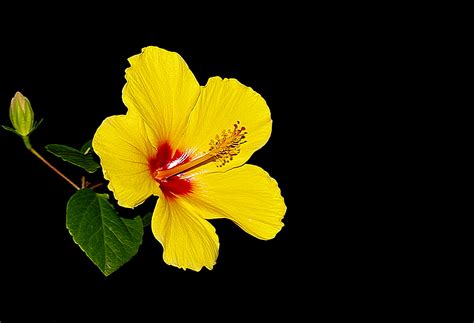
189, 242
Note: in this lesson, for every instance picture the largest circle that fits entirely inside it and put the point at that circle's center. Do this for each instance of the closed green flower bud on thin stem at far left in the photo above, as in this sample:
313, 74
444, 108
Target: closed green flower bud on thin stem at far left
21, 115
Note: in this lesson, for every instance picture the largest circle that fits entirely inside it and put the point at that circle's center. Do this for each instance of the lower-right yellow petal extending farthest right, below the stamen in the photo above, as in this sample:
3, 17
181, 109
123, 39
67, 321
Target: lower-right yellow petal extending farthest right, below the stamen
246, 195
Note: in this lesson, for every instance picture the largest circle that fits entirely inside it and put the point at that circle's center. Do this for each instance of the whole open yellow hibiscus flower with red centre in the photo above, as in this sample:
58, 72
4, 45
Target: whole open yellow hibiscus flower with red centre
188, 144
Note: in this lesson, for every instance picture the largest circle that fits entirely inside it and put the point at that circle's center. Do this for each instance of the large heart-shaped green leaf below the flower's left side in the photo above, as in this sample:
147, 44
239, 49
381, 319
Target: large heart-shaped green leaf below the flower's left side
107, 239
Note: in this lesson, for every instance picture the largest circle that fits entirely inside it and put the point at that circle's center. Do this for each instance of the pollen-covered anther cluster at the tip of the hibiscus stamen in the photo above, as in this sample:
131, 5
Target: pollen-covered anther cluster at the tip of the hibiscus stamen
227, 145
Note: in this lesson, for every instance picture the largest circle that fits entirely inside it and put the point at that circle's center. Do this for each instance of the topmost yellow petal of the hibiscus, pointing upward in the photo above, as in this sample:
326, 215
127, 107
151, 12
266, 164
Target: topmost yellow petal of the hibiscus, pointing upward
162, 90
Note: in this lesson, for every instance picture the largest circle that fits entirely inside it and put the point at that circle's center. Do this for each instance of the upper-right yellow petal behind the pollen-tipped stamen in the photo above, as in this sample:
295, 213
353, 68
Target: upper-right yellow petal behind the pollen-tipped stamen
222, 103
